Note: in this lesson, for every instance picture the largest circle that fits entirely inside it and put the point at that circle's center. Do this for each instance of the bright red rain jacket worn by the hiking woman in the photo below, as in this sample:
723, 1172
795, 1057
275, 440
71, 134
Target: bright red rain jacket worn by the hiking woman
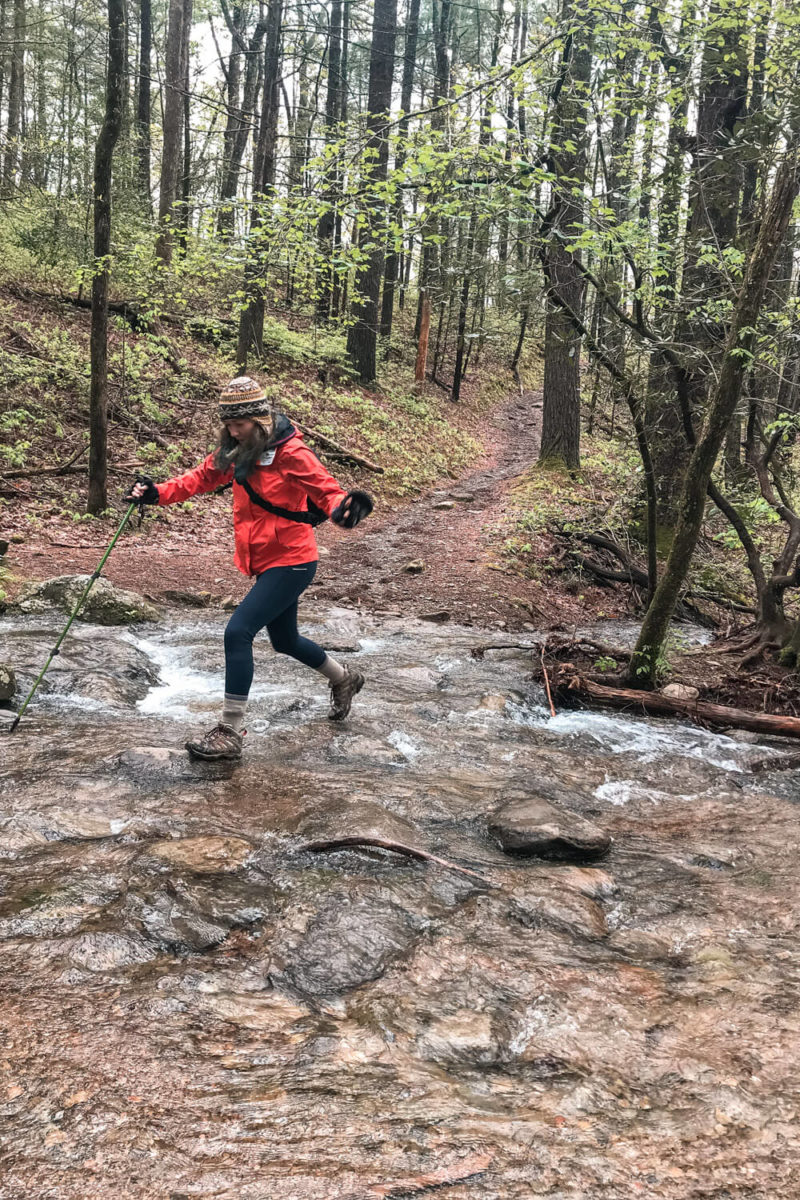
263, 541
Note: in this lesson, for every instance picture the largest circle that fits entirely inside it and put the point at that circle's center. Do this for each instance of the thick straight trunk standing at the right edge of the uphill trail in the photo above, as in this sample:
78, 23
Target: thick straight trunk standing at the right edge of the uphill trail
562, 394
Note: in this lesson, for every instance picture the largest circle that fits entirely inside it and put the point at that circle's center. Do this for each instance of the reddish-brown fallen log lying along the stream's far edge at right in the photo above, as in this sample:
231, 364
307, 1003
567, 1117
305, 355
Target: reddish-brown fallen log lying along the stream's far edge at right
654, 704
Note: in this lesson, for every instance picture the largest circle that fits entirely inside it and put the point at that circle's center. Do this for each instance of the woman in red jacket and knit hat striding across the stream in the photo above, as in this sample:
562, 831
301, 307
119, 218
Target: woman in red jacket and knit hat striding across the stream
281, 491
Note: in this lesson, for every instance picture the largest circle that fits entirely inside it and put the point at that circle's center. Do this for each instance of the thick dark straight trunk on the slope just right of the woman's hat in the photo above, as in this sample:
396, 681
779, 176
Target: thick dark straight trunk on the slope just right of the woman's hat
363, 335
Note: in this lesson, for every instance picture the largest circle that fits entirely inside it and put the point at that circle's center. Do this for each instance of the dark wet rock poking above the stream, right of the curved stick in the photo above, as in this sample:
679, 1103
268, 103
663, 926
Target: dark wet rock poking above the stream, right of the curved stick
536, 827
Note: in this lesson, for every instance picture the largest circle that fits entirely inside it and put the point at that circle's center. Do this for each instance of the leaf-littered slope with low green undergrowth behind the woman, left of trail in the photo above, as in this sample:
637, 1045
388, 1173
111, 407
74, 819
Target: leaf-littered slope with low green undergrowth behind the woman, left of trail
163, 398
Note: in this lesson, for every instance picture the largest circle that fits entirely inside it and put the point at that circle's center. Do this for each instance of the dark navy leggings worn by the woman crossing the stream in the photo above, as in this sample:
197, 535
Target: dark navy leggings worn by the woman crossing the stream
272, 602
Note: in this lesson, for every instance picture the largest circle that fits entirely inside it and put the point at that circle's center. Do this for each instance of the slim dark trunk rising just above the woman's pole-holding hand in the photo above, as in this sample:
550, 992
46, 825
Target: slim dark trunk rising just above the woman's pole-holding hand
107, 140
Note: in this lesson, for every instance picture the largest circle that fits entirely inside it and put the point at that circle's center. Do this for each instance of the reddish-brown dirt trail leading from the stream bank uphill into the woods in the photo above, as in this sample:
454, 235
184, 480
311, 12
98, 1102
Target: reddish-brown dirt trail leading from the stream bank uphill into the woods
460, 548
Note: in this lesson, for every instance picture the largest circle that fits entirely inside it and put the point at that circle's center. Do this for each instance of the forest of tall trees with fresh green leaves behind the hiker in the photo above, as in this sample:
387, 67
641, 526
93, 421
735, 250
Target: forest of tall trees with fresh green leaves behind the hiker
596, 200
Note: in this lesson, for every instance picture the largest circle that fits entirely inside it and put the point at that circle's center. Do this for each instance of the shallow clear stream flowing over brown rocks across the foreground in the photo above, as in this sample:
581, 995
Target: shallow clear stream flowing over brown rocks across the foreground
195, 1005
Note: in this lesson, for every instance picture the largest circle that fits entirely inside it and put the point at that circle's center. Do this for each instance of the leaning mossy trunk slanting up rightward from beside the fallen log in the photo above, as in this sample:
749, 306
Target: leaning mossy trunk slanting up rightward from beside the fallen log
736, 362
